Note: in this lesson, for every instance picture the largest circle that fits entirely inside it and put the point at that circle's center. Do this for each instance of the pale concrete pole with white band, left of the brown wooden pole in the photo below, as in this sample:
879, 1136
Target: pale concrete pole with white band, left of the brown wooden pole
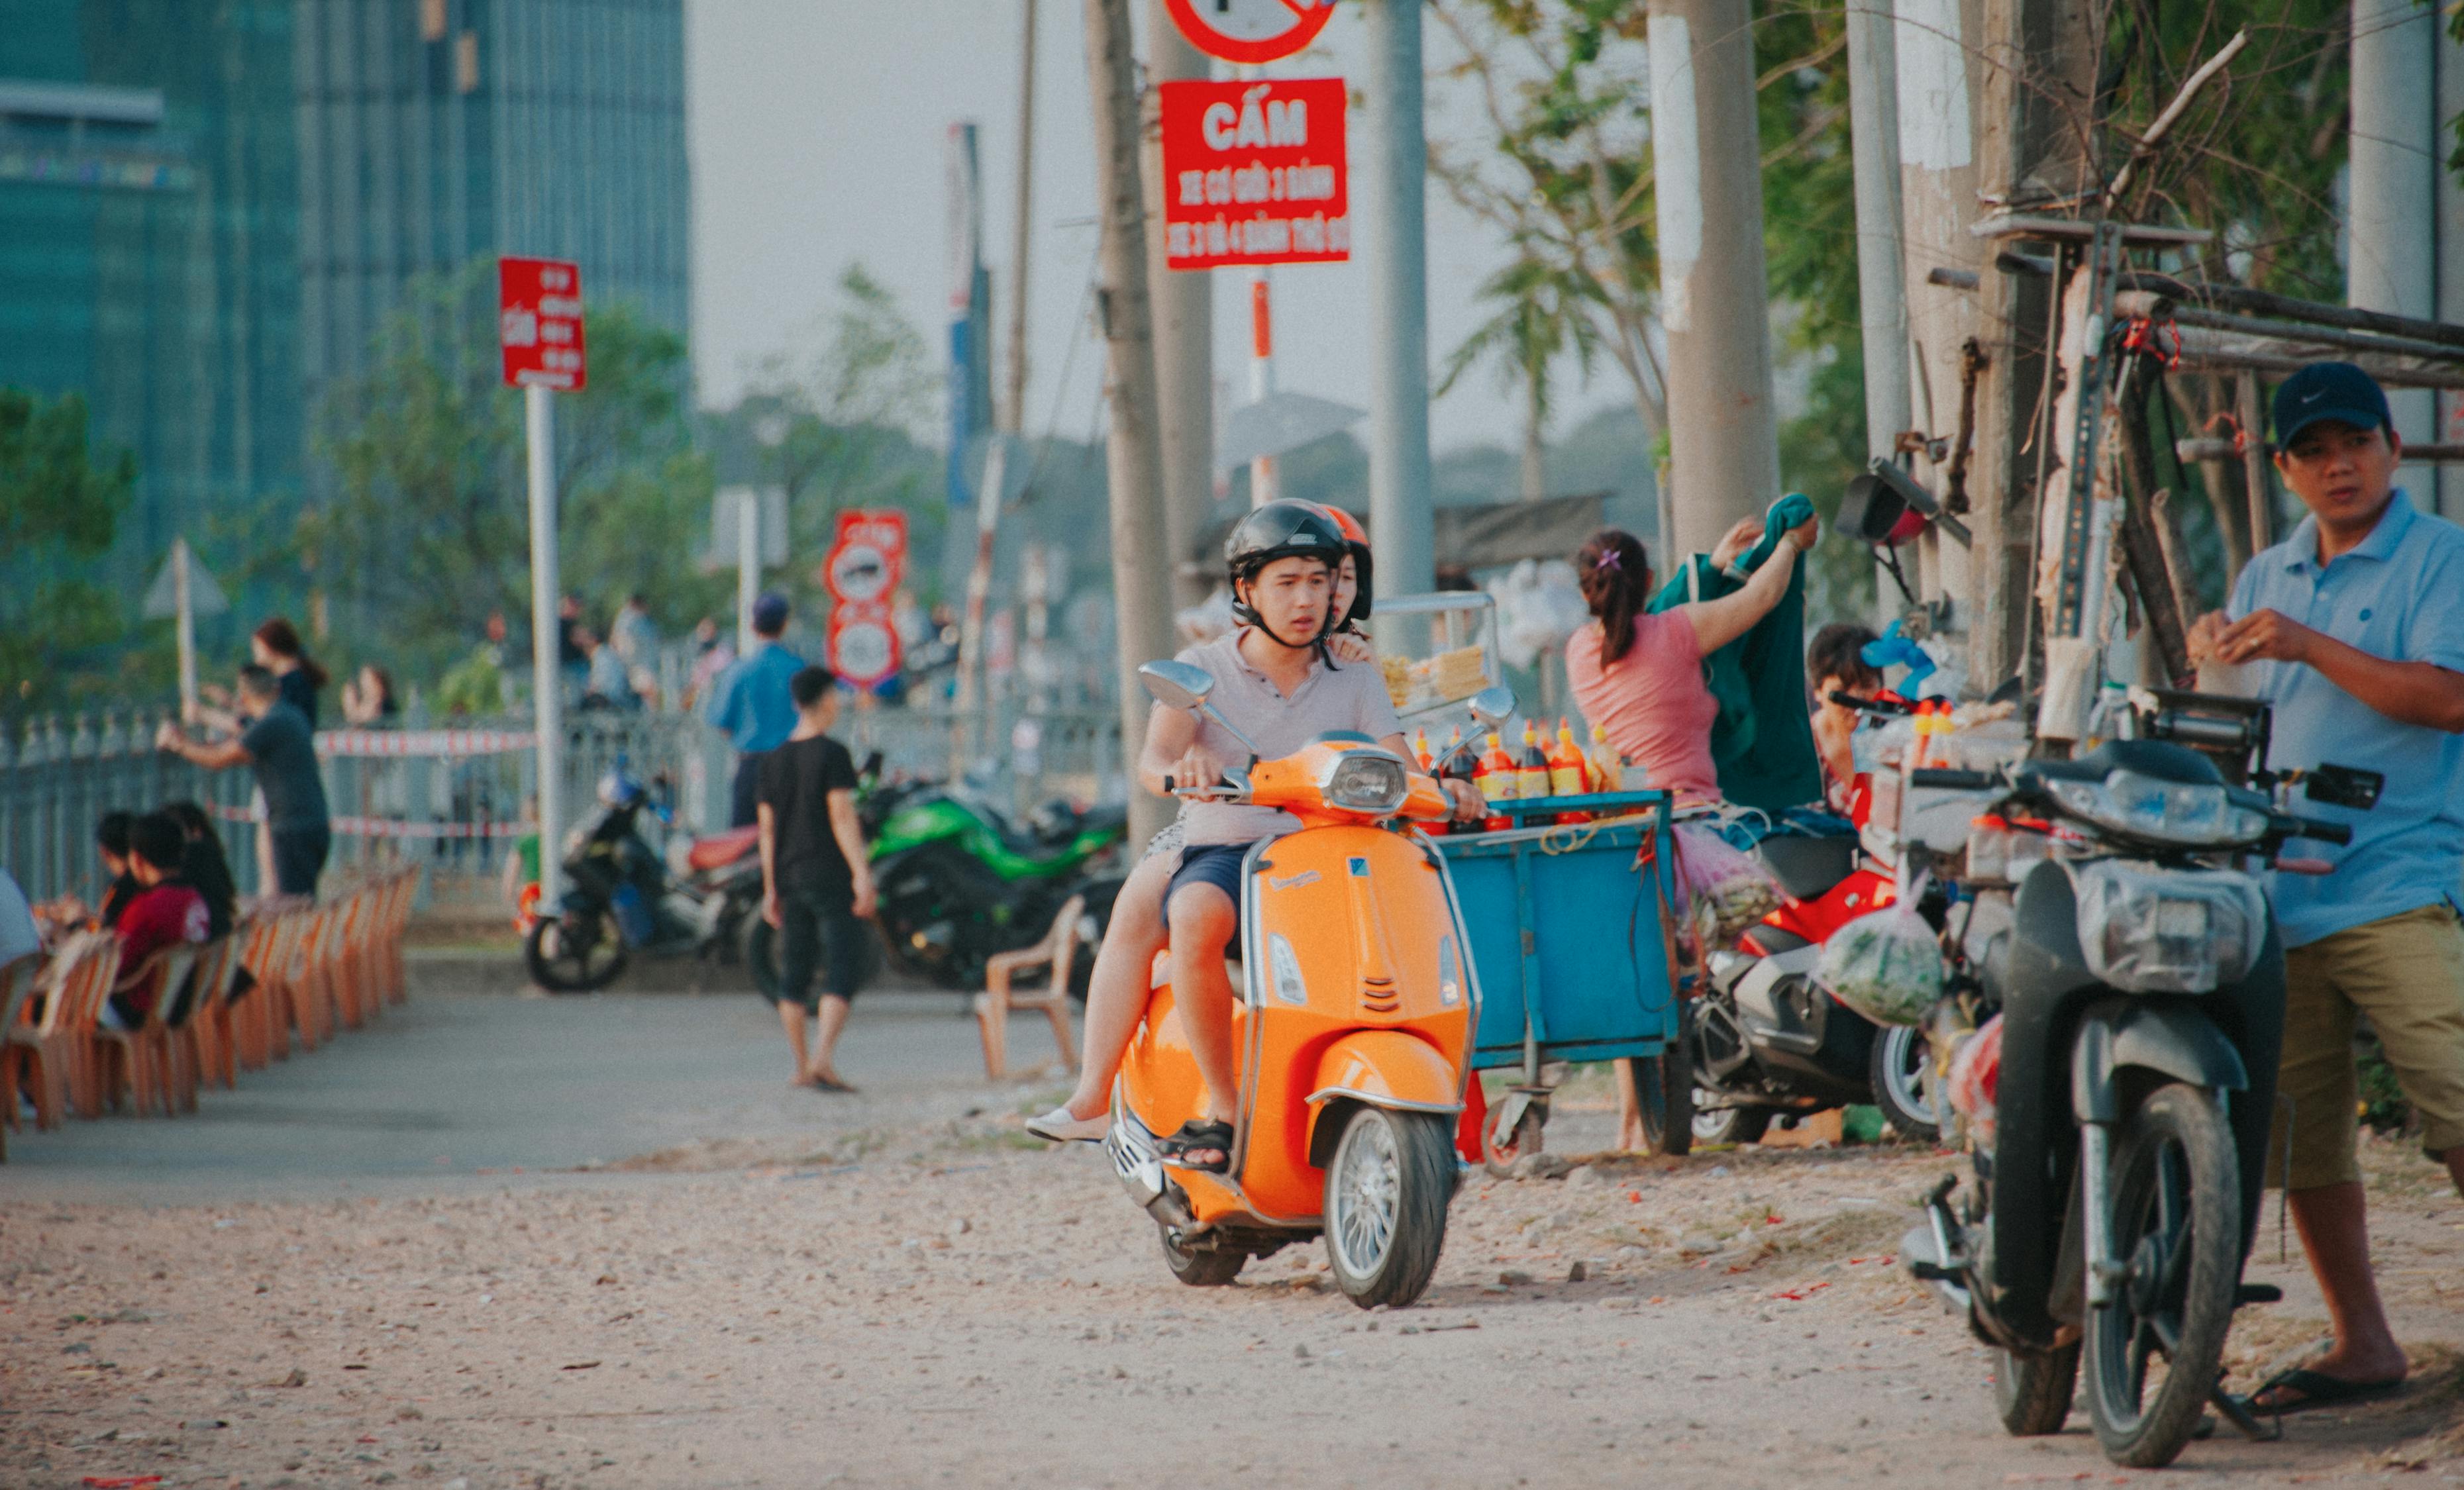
1938, 201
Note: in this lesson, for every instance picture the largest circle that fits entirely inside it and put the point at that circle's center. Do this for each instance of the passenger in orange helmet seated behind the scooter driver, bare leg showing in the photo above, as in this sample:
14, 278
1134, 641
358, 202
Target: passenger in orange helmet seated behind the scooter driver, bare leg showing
1120, 984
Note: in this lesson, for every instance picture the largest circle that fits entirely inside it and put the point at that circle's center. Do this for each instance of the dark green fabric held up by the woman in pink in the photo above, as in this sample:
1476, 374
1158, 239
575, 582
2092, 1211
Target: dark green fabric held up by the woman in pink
1763, 740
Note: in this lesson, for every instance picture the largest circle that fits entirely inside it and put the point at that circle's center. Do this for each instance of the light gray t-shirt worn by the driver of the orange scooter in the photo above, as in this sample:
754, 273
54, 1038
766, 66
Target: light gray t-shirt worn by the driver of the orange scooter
1349, 696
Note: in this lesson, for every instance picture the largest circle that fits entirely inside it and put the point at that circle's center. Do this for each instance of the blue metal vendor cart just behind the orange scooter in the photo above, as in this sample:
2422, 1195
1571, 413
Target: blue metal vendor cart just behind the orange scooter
1571, 944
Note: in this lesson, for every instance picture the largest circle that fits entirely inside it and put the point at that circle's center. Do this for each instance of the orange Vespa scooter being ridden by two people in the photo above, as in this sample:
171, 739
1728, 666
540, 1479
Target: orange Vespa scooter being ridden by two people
1354, 1013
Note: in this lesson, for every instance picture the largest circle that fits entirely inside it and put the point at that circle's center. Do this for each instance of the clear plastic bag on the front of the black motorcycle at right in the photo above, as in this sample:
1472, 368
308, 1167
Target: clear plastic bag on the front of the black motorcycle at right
2152, 930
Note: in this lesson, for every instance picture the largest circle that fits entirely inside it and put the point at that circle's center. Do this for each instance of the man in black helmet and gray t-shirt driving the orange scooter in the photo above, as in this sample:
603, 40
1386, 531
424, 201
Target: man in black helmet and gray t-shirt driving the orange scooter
1273, 683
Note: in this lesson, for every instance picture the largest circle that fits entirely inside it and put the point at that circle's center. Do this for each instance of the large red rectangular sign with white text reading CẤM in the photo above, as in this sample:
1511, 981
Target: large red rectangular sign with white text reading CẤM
1255, 174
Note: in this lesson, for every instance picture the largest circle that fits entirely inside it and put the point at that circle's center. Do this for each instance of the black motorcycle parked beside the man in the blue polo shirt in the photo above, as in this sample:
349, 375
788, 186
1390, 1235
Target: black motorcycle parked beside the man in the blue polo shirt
2142, 1009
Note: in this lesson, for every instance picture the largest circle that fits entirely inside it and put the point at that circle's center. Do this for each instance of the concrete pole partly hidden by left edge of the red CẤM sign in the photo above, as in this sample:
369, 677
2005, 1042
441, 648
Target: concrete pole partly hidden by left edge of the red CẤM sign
1184, 334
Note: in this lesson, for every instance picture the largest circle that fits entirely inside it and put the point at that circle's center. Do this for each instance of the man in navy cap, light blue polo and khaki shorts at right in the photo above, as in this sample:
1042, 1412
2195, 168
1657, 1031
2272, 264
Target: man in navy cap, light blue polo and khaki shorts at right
2357, 634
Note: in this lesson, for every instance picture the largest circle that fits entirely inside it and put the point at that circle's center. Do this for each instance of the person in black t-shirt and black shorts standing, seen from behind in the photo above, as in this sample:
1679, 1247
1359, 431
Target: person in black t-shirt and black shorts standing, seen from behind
817, 878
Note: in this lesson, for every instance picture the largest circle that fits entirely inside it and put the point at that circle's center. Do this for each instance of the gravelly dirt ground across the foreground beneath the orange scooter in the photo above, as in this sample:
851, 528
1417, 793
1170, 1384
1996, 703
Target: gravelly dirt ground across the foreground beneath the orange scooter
947, 1304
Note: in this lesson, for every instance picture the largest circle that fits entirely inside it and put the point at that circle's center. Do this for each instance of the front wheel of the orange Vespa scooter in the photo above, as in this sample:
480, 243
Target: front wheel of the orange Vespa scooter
1386, 1203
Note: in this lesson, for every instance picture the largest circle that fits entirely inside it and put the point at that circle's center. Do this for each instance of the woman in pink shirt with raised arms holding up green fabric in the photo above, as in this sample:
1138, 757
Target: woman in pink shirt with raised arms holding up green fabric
1642, 676
